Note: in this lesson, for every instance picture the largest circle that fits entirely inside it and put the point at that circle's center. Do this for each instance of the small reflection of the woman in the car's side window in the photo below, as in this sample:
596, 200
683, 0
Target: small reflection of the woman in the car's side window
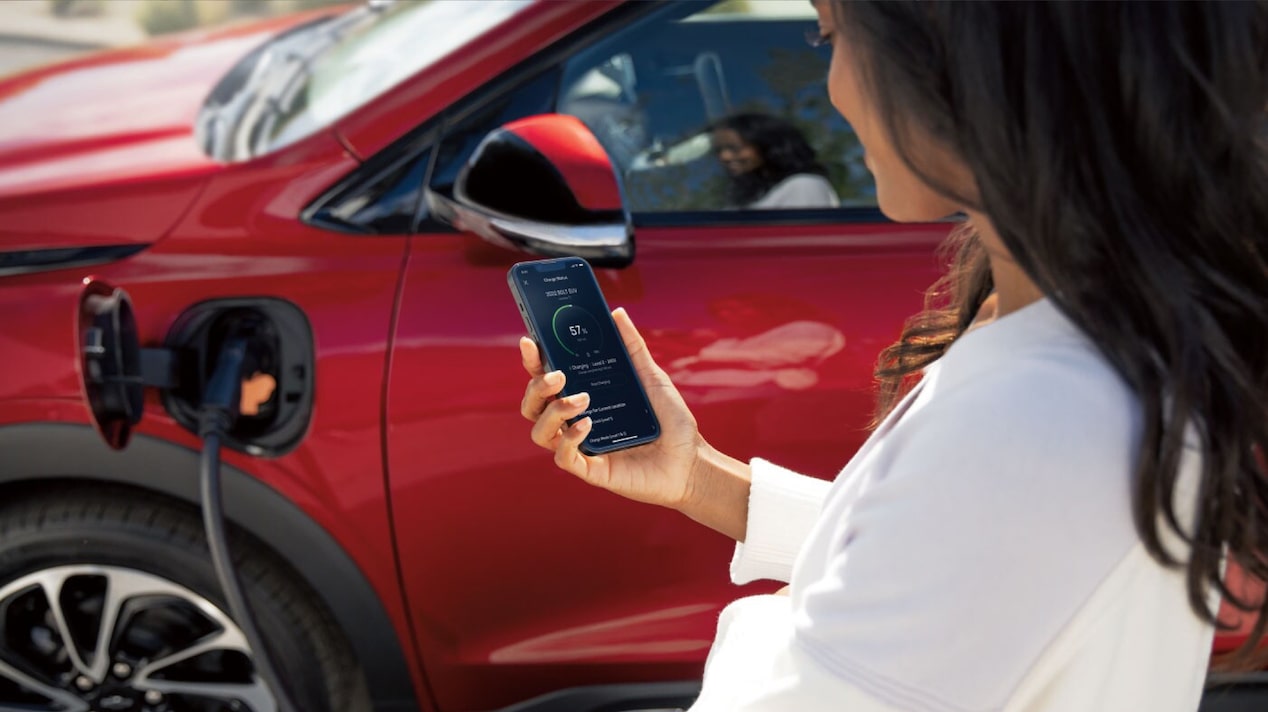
770, 164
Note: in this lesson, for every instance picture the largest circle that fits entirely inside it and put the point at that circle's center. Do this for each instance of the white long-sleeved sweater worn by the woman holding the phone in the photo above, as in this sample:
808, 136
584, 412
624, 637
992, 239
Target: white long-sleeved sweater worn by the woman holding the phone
977, 554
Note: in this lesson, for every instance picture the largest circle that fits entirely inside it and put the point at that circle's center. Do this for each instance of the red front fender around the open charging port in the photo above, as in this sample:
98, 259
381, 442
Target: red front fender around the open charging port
243, 236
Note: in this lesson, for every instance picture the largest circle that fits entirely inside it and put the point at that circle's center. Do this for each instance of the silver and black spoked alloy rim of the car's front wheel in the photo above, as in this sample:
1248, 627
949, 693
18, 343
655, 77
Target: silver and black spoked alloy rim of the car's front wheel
110, 639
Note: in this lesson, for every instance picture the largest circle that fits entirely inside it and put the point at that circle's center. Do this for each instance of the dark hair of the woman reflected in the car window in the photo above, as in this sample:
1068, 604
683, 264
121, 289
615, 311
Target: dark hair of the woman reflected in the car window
783, 148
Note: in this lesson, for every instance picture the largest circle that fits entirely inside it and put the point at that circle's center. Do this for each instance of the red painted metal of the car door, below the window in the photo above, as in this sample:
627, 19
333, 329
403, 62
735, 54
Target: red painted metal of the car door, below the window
542, 571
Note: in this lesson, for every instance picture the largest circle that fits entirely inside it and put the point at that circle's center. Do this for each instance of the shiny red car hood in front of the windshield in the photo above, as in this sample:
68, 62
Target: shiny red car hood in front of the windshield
84, 136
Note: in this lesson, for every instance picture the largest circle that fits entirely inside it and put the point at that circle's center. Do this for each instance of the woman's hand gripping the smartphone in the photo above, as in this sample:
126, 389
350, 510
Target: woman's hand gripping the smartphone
657, 473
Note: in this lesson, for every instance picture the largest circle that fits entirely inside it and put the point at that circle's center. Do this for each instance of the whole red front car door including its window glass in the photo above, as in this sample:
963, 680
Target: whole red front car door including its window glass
521, 580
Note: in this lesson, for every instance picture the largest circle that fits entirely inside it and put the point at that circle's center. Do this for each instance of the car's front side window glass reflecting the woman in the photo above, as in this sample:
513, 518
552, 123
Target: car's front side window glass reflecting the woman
702, 110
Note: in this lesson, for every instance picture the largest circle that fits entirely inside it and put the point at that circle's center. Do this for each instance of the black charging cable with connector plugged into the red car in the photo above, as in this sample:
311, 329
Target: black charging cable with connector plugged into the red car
215, 419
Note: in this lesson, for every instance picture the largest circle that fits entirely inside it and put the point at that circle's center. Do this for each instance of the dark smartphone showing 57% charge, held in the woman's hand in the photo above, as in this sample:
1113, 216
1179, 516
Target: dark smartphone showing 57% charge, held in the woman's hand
566, 314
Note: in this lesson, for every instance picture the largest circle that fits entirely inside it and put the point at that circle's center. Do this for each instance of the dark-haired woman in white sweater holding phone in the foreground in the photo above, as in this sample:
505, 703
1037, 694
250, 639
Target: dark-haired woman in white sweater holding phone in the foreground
1042, 523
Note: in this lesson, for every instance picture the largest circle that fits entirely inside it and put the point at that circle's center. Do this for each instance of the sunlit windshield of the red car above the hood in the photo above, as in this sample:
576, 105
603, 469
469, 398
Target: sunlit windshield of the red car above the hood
309, 80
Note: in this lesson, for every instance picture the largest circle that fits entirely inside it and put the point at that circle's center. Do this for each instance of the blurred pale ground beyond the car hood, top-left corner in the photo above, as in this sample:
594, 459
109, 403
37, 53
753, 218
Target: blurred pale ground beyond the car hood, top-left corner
32, 36
